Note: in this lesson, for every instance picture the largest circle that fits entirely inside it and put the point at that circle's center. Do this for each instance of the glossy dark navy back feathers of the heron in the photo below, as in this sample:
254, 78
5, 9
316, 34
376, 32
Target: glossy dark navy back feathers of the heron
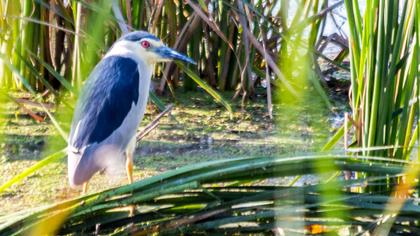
117, 89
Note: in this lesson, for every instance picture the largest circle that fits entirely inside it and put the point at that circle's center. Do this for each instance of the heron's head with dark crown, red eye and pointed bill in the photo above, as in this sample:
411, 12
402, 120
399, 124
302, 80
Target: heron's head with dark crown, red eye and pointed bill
147, 47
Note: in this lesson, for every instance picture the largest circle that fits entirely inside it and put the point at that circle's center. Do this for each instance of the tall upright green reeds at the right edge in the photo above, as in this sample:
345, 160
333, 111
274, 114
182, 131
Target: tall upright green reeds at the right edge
384, 73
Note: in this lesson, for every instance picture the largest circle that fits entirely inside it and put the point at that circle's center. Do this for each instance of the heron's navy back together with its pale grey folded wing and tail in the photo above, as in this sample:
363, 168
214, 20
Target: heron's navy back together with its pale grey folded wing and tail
106, 100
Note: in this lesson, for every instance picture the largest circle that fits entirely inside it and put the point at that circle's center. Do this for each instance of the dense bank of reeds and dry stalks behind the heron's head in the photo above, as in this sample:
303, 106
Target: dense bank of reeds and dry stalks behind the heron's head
53, 45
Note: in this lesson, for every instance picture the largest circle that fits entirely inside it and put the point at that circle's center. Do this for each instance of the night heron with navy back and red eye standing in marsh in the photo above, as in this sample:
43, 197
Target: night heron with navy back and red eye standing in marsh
111, 106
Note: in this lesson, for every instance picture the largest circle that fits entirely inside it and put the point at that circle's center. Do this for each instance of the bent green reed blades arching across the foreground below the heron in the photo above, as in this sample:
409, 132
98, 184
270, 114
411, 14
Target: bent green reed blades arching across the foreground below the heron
218, 196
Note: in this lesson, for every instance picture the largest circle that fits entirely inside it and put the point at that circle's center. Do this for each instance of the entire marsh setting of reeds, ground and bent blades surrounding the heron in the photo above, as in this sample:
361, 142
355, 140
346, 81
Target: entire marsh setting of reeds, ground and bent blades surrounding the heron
268, 82
